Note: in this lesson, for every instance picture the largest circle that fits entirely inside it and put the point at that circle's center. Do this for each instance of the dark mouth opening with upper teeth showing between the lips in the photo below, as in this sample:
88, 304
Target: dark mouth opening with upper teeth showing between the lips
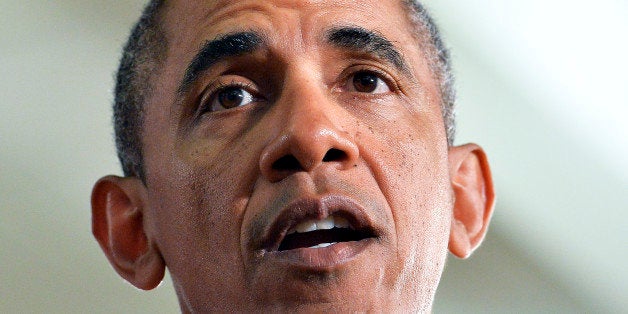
322, 233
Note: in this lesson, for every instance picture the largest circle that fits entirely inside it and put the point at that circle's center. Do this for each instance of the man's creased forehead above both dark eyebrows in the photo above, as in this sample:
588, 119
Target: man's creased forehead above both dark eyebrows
301, 21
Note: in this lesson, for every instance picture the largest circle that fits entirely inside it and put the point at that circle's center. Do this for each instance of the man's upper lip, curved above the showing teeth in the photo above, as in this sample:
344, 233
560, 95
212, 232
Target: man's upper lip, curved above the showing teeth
316, 208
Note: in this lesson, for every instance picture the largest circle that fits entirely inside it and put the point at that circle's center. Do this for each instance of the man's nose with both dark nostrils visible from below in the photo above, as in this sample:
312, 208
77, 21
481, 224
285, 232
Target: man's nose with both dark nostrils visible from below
308, 137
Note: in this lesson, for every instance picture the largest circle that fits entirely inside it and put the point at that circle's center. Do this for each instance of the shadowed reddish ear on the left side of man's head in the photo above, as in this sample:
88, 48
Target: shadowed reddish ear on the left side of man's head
118, 226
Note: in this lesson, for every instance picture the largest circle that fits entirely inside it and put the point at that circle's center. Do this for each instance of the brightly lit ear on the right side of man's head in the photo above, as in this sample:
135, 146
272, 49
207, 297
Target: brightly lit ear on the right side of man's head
474, 198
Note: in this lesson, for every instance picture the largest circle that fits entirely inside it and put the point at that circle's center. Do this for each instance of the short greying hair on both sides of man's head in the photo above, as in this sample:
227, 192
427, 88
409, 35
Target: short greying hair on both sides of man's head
146, 49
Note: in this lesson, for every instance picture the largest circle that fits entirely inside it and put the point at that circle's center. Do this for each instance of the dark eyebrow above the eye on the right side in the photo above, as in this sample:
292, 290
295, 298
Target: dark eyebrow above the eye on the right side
357, 38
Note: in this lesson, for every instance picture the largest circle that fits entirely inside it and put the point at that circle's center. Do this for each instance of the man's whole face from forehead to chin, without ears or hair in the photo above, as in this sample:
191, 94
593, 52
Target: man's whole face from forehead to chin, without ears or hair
270, 119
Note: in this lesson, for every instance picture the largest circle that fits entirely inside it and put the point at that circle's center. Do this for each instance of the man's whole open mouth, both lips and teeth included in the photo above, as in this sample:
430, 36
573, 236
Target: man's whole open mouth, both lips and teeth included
319, 234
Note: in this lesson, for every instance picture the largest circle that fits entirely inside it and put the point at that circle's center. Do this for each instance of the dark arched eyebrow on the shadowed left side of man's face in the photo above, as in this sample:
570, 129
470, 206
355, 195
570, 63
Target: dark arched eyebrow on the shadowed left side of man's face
215, 50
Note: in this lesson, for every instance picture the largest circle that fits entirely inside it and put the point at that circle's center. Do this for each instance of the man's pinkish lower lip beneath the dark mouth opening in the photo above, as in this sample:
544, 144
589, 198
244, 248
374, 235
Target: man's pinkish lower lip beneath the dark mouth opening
321, 259
